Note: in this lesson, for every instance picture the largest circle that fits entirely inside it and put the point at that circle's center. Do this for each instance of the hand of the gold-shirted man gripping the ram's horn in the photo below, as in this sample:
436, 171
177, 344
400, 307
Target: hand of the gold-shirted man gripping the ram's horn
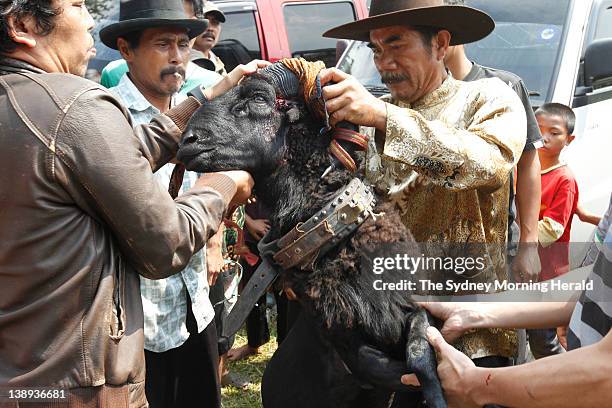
348, 100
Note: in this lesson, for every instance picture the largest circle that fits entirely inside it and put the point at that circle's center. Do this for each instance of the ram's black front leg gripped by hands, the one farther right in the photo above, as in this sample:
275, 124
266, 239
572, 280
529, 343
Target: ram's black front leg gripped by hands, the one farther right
421, 359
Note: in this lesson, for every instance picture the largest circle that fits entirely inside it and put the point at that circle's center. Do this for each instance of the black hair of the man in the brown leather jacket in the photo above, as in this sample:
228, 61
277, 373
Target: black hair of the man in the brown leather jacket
42, 11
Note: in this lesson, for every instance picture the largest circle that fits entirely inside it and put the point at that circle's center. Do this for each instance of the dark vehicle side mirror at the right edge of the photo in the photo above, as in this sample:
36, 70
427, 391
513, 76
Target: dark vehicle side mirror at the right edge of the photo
597, 67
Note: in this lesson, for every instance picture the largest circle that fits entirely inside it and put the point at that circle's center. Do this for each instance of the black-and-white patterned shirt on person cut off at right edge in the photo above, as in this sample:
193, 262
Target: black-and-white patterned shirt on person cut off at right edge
592, 317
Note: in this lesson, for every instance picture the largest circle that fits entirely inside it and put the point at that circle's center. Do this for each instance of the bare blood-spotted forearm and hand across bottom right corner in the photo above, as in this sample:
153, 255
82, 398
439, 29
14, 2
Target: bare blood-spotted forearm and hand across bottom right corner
583, 375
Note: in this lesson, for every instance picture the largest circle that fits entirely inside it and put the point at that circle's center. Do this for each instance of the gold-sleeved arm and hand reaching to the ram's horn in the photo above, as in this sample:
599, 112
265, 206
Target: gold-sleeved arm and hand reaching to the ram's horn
479, 156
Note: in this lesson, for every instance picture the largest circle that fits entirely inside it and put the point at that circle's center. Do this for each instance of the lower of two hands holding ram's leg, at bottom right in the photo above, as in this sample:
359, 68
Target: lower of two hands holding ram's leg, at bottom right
457, 373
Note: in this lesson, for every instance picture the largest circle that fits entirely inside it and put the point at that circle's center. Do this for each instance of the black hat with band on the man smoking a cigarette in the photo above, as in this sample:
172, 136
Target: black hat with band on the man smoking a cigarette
138, 15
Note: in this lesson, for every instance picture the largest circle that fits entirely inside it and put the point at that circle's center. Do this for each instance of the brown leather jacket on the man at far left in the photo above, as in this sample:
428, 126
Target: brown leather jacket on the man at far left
80, 217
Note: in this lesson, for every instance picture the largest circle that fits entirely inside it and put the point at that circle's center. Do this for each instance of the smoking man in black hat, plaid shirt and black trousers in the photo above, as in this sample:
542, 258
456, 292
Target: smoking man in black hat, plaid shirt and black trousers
180, 337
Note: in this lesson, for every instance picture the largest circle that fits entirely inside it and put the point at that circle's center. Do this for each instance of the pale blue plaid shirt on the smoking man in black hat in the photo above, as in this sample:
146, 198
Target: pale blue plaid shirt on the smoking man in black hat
164, 301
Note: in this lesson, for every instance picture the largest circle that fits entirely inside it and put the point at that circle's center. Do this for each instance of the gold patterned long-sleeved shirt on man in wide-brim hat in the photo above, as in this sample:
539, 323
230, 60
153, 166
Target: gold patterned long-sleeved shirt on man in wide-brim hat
446, 163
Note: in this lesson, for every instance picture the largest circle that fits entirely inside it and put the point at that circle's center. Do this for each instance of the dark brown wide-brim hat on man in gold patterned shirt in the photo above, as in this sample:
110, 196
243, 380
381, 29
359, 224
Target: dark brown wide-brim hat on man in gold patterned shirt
466, 24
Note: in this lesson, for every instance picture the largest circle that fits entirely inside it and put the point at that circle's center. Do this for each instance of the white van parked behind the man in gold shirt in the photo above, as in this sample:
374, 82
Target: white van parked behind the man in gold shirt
563, 51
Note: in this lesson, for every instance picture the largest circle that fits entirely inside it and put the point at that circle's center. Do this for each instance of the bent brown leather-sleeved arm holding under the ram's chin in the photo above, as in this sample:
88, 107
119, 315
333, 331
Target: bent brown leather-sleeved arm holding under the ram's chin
107, 170
